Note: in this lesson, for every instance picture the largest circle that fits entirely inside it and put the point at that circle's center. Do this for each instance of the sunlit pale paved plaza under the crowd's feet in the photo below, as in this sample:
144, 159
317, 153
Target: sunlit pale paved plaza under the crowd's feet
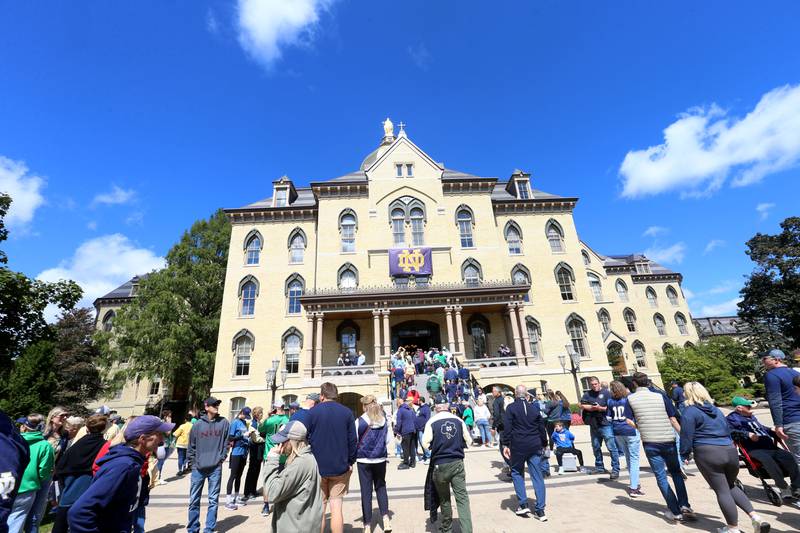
575, 502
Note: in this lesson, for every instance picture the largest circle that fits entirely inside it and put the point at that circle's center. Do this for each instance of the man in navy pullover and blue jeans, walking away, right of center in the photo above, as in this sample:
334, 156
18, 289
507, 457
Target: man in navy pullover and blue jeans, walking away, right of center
525, 439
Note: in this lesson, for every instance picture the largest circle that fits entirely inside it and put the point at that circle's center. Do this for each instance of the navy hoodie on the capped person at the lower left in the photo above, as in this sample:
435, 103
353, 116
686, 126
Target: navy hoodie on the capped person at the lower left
108, 504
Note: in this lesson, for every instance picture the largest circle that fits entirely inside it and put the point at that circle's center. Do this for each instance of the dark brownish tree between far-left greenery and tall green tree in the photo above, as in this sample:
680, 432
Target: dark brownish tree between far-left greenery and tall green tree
76, 356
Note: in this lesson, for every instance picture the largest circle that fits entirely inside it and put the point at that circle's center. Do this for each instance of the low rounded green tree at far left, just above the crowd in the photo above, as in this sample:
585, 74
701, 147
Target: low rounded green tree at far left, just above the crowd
32, 382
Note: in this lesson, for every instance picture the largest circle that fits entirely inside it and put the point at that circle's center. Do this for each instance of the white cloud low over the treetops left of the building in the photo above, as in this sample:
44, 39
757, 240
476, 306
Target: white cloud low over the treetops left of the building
102, 264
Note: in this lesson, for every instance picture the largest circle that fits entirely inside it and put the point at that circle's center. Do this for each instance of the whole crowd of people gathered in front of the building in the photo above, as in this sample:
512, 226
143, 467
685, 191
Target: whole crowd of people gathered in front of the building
97, 472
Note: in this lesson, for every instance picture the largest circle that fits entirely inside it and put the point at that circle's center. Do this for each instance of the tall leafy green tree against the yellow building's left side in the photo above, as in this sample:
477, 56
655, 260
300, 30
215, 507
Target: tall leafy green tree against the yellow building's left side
169, 331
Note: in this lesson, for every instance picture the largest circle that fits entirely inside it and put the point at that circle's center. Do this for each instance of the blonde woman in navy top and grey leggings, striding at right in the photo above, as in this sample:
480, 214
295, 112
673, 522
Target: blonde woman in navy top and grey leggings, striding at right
705, 431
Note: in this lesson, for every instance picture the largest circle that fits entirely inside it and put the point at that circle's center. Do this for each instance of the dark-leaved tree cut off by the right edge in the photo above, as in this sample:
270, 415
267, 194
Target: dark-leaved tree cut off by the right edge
770, 305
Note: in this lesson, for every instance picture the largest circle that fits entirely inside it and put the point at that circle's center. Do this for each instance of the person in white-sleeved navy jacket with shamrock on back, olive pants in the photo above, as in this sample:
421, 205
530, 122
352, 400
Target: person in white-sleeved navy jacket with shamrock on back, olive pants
446, 436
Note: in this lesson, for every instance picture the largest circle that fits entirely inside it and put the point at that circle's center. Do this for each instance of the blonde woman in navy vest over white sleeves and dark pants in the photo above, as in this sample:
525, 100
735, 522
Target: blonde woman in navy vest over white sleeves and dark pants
374, 442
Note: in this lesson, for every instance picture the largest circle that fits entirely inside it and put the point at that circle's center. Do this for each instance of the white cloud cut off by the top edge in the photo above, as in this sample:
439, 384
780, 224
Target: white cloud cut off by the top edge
267, 26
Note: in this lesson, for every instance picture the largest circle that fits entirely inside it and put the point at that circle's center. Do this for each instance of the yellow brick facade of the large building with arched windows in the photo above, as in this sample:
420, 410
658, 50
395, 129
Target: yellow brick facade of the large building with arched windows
315, 213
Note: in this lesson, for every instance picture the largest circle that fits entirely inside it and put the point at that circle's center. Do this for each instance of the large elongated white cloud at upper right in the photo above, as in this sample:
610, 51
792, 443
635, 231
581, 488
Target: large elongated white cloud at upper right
705, 146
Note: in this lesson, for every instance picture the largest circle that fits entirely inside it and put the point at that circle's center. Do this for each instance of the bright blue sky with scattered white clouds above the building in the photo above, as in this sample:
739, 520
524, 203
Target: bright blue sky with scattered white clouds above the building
677, 124
